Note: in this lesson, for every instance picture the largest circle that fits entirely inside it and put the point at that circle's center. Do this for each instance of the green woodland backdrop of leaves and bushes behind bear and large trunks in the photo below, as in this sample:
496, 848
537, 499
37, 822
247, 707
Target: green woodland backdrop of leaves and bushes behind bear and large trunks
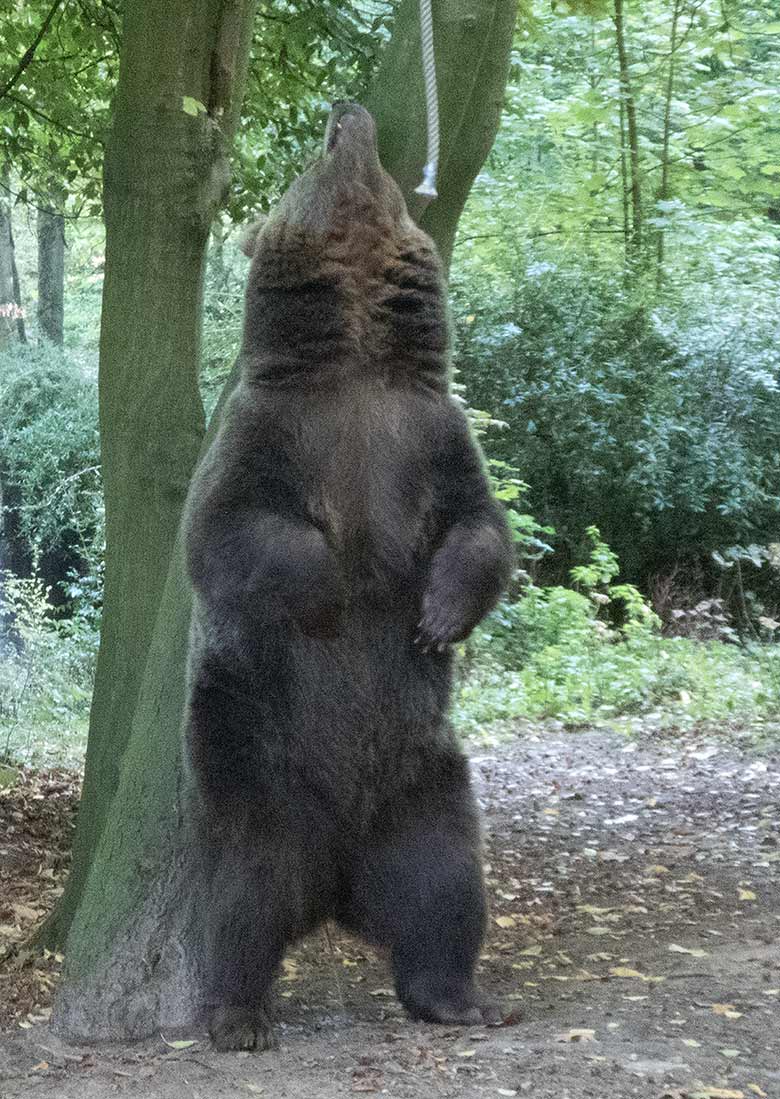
615, 286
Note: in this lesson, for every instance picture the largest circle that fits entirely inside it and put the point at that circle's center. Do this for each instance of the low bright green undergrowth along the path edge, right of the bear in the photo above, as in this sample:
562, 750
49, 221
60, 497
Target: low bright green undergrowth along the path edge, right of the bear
597, 656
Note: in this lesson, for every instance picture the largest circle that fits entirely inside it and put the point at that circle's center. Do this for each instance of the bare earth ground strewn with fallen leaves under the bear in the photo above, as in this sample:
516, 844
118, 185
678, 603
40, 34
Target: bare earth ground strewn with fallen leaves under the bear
636, 940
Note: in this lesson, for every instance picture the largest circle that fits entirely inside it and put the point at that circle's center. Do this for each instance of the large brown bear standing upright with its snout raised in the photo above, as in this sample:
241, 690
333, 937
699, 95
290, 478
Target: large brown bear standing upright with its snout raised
341, 536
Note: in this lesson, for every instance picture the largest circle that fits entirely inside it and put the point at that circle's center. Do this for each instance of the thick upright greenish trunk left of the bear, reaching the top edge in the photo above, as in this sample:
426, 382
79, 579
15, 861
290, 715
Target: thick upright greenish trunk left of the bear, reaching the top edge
182, 79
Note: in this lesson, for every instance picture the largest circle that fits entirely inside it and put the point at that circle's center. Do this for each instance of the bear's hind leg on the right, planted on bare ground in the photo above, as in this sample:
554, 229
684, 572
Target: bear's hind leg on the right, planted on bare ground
419, 891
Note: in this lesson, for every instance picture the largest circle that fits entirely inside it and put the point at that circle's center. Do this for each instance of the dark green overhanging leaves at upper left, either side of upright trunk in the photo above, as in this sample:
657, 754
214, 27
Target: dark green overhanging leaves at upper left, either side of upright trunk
54, 120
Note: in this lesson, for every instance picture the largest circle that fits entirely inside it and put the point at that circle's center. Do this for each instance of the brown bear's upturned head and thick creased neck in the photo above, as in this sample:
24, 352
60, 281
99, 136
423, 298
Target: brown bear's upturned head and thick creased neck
341, 276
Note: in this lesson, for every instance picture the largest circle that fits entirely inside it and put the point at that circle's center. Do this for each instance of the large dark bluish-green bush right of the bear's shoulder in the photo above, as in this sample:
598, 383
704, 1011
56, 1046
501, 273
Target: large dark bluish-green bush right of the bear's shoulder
662, 426
